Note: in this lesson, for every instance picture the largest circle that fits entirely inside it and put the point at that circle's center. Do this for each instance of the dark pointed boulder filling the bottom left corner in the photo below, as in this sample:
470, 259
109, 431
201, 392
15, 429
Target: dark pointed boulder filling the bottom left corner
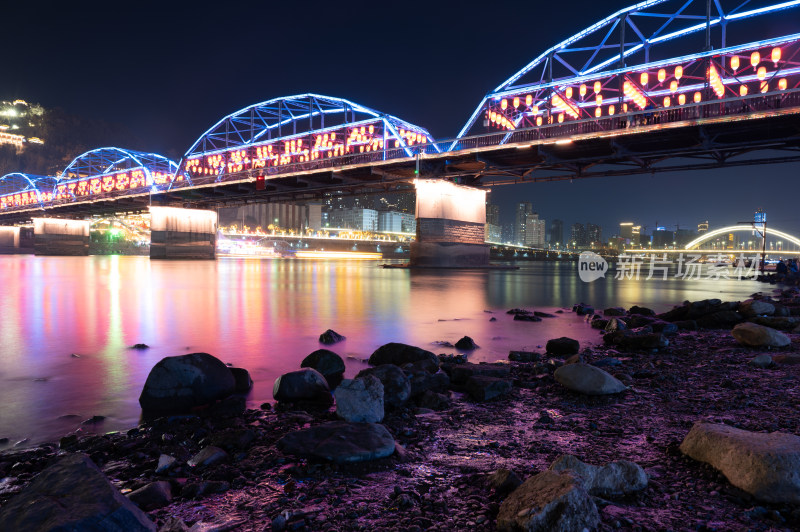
72, 494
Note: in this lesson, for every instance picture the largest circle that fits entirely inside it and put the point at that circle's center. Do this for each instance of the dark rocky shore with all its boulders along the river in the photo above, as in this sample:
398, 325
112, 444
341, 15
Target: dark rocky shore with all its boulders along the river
685, 420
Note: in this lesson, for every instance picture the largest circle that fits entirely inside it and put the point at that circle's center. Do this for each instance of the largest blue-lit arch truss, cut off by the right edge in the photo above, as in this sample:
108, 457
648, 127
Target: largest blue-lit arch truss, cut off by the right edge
655, 54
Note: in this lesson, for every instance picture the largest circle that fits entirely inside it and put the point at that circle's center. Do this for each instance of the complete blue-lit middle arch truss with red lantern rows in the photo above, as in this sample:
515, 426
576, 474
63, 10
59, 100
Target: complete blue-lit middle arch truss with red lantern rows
297, 133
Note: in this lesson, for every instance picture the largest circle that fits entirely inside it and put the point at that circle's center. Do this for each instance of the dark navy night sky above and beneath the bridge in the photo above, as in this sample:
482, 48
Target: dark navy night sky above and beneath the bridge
170, 69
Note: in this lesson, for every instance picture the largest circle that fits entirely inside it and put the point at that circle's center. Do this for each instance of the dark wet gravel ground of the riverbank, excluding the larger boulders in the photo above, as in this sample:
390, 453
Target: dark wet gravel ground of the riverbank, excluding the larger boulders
439, 477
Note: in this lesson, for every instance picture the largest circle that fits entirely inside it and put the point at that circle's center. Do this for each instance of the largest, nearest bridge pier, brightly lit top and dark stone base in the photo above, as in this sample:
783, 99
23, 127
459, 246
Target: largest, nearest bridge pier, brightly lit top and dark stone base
451, 221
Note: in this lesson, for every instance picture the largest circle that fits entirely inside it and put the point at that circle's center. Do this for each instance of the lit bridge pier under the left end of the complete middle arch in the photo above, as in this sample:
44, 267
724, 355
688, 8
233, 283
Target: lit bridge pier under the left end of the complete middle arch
177, 233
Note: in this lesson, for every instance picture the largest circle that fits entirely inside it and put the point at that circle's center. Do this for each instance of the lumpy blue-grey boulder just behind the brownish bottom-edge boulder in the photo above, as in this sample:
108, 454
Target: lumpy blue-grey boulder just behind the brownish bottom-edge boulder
620, 477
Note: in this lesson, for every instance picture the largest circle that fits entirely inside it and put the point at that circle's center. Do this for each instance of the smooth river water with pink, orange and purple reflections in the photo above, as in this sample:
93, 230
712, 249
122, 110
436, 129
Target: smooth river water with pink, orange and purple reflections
264, 315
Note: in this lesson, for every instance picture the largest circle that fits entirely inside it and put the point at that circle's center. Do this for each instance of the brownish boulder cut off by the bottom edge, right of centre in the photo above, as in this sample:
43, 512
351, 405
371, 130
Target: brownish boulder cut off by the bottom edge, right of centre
549, 502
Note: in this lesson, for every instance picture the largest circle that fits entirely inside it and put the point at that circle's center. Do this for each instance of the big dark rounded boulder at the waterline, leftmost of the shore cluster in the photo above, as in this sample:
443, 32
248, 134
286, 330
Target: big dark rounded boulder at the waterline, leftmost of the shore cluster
183, 382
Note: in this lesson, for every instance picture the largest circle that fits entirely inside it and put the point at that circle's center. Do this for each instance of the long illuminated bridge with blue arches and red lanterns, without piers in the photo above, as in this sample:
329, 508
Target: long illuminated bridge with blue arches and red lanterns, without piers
662, 85
